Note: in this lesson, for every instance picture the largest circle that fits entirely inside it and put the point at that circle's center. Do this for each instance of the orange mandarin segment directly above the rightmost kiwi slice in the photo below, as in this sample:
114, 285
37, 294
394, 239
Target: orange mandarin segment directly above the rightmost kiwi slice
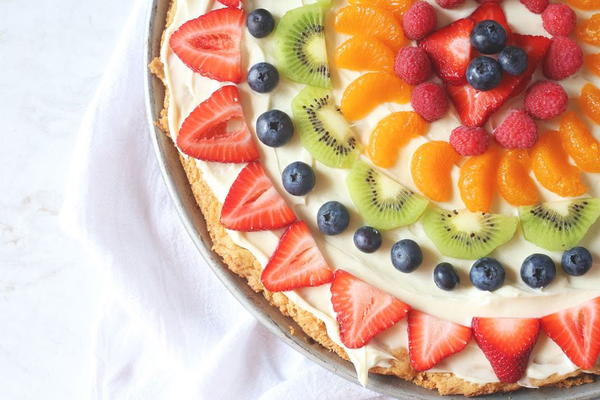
550, 165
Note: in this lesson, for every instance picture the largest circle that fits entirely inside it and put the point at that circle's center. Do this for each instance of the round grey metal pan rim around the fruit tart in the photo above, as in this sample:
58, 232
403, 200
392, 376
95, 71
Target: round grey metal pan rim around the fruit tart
269, 316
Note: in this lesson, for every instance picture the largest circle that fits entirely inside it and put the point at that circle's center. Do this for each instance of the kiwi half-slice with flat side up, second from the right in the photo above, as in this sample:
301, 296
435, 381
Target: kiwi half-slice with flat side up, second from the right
465, 234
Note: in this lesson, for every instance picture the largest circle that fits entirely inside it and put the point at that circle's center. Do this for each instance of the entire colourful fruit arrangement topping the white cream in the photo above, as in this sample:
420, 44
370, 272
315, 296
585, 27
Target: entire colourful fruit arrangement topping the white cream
476, 64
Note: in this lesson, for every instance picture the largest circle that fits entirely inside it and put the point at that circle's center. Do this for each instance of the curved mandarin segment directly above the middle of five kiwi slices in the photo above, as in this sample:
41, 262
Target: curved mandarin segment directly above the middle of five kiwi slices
391, 134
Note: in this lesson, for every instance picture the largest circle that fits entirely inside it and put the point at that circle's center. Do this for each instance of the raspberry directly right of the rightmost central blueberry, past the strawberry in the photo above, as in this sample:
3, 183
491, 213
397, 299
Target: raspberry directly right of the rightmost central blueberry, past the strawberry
563, 59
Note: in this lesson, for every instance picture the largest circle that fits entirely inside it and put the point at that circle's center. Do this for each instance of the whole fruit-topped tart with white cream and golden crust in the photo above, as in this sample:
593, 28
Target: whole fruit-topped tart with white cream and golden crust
415, 183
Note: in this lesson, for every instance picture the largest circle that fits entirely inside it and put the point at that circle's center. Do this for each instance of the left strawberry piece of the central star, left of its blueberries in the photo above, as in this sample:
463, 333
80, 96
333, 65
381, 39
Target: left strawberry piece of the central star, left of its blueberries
450, 50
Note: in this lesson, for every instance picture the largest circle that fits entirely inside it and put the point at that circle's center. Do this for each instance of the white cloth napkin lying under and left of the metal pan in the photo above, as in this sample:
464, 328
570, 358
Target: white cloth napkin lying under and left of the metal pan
167, 328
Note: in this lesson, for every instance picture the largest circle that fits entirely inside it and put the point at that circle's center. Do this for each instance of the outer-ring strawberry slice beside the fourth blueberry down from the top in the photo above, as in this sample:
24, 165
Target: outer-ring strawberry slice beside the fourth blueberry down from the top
253, 203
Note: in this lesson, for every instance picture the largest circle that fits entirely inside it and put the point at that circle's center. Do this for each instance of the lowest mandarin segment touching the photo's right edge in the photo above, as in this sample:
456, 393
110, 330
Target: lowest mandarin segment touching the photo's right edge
579, 142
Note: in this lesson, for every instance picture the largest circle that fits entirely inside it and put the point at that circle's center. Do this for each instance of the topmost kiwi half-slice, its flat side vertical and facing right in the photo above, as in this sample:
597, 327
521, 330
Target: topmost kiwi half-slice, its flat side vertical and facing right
301, 50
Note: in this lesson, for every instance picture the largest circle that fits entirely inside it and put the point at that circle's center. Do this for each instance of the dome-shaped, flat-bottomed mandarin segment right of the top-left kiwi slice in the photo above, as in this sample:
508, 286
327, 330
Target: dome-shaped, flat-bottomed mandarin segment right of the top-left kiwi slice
364, 53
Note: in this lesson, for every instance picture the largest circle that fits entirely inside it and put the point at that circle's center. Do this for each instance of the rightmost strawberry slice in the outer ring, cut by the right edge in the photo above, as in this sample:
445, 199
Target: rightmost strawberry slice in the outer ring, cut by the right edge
577, 331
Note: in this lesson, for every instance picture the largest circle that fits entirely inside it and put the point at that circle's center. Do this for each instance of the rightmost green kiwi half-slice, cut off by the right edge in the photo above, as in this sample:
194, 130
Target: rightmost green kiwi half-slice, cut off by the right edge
559, 225
